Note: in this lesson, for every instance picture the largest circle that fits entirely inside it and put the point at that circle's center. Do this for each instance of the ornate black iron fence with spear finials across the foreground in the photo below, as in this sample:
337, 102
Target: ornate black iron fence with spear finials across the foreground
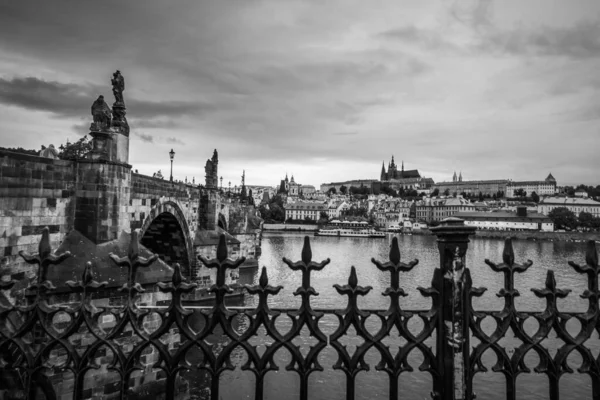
451, 320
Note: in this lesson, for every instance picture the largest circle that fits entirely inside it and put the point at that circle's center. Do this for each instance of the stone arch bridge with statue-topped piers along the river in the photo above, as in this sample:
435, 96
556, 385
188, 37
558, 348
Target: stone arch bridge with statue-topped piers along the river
92, 205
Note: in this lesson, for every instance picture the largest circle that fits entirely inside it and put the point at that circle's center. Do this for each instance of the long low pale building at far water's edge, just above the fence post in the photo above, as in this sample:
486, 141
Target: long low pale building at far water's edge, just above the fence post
521, 220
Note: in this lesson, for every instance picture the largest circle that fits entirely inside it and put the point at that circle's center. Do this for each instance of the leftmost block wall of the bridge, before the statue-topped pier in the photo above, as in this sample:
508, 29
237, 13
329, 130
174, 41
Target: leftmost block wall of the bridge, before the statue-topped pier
34, 192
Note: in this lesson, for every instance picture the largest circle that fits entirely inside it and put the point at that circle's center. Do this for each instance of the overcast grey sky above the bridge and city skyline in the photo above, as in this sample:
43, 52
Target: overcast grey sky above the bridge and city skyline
324, 90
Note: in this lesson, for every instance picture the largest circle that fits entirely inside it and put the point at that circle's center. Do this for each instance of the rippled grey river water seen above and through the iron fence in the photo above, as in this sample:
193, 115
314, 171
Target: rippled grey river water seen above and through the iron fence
347, 252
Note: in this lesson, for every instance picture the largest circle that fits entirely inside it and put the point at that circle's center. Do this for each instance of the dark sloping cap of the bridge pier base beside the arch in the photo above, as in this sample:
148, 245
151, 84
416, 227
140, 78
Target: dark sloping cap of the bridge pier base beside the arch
83, 250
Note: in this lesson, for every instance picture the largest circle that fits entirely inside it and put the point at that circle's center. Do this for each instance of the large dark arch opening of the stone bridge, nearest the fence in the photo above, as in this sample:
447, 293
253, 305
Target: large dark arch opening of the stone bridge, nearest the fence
165, 231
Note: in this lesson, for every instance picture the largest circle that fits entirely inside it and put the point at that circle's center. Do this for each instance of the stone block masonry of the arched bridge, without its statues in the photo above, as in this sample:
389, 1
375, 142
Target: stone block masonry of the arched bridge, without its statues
103, 200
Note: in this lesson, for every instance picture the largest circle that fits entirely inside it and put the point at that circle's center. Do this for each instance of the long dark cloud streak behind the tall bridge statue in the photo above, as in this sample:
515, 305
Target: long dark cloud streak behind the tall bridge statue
74, 100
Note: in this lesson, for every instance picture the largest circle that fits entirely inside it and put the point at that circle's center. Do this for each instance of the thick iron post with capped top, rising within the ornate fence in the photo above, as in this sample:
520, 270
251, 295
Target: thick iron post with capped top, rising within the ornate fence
453, 320
